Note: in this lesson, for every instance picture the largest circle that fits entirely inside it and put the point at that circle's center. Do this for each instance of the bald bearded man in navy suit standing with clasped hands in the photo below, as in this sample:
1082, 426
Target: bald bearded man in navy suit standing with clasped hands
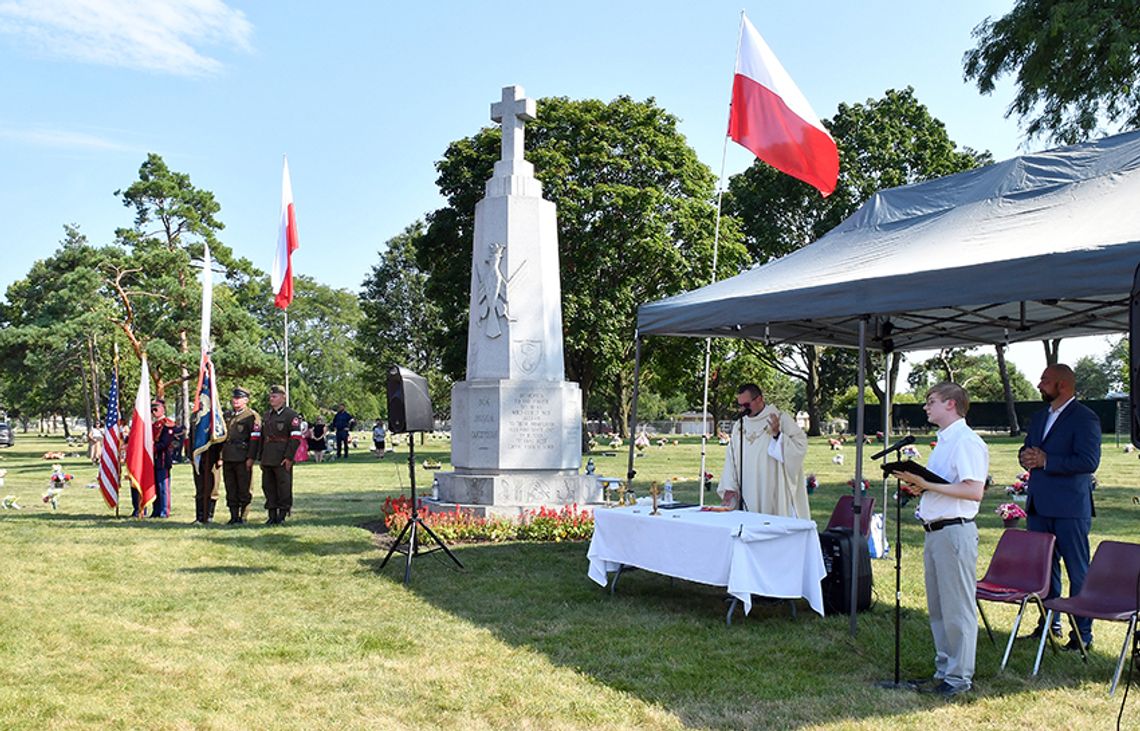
1062, 451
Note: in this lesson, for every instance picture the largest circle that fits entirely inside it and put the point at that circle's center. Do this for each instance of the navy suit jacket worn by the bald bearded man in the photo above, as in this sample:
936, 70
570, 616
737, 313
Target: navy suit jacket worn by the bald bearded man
1064, 488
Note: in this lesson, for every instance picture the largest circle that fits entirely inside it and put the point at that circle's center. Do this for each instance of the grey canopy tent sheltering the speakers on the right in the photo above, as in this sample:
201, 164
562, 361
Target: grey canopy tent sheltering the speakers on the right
1044, 246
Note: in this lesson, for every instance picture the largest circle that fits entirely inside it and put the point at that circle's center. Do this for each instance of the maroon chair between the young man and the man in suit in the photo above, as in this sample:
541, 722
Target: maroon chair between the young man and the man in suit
1019, 574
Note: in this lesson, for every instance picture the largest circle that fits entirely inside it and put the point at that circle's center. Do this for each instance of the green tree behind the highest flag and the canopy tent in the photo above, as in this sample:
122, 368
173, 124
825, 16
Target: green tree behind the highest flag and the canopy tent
883, 144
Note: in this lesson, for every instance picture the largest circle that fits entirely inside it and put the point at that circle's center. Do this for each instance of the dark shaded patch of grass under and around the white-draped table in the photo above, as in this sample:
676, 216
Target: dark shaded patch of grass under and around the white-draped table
666, 641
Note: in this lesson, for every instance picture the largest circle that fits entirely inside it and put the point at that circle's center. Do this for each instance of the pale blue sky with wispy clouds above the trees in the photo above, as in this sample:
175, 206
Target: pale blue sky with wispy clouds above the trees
364, 99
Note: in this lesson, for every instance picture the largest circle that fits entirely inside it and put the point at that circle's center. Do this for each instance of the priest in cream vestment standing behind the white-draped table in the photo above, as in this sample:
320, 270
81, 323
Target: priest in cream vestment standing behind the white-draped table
775, 448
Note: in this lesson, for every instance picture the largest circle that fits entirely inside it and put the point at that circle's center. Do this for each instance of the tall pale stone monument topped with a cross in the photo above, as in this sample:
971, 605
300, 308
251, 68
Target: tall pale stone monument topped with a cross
516, 420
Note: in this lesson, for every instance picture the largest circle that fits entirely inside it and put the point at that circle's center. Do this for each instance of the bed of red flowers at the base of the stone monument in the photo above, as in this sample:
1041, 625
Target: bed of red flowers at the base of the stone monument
545, 524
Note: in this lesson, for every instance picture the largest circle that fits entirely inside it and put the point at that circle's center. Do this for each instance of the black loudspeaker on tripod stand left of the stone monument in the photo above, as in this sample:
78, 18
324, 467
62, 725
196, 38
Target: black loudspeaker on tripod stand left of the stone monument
410, 411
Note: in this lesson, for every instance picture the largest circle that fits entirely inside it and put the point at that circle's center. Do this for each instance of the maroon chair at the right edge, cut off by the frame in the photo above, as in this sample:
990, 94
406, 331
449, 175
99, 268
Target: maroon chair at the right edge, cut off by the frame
1110, 592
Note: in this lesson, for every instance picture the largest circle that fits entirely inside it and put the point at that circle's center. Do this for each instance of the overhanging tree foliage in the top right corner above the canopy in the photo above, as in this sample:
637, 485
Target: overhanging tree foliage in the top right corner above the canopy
1077, 64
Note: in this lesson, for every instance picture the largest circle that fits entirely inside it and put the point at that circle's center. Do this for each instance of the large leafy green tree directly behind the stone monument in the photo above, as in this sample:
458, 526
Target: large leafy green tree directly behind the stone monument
636, 224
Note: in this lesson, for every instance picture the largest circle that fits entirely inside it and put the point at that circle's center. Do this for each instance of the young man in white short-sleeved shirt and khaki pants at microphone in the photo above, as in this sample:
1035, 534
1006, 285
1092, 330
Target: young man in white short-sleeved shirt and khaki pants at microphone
950, 555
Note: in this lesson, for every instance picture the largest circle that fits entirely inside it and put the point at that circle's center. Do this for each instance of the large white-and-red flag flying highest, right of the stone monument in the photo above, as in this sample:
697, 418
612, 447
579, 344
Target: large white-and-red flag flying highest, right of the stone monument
771, 118
